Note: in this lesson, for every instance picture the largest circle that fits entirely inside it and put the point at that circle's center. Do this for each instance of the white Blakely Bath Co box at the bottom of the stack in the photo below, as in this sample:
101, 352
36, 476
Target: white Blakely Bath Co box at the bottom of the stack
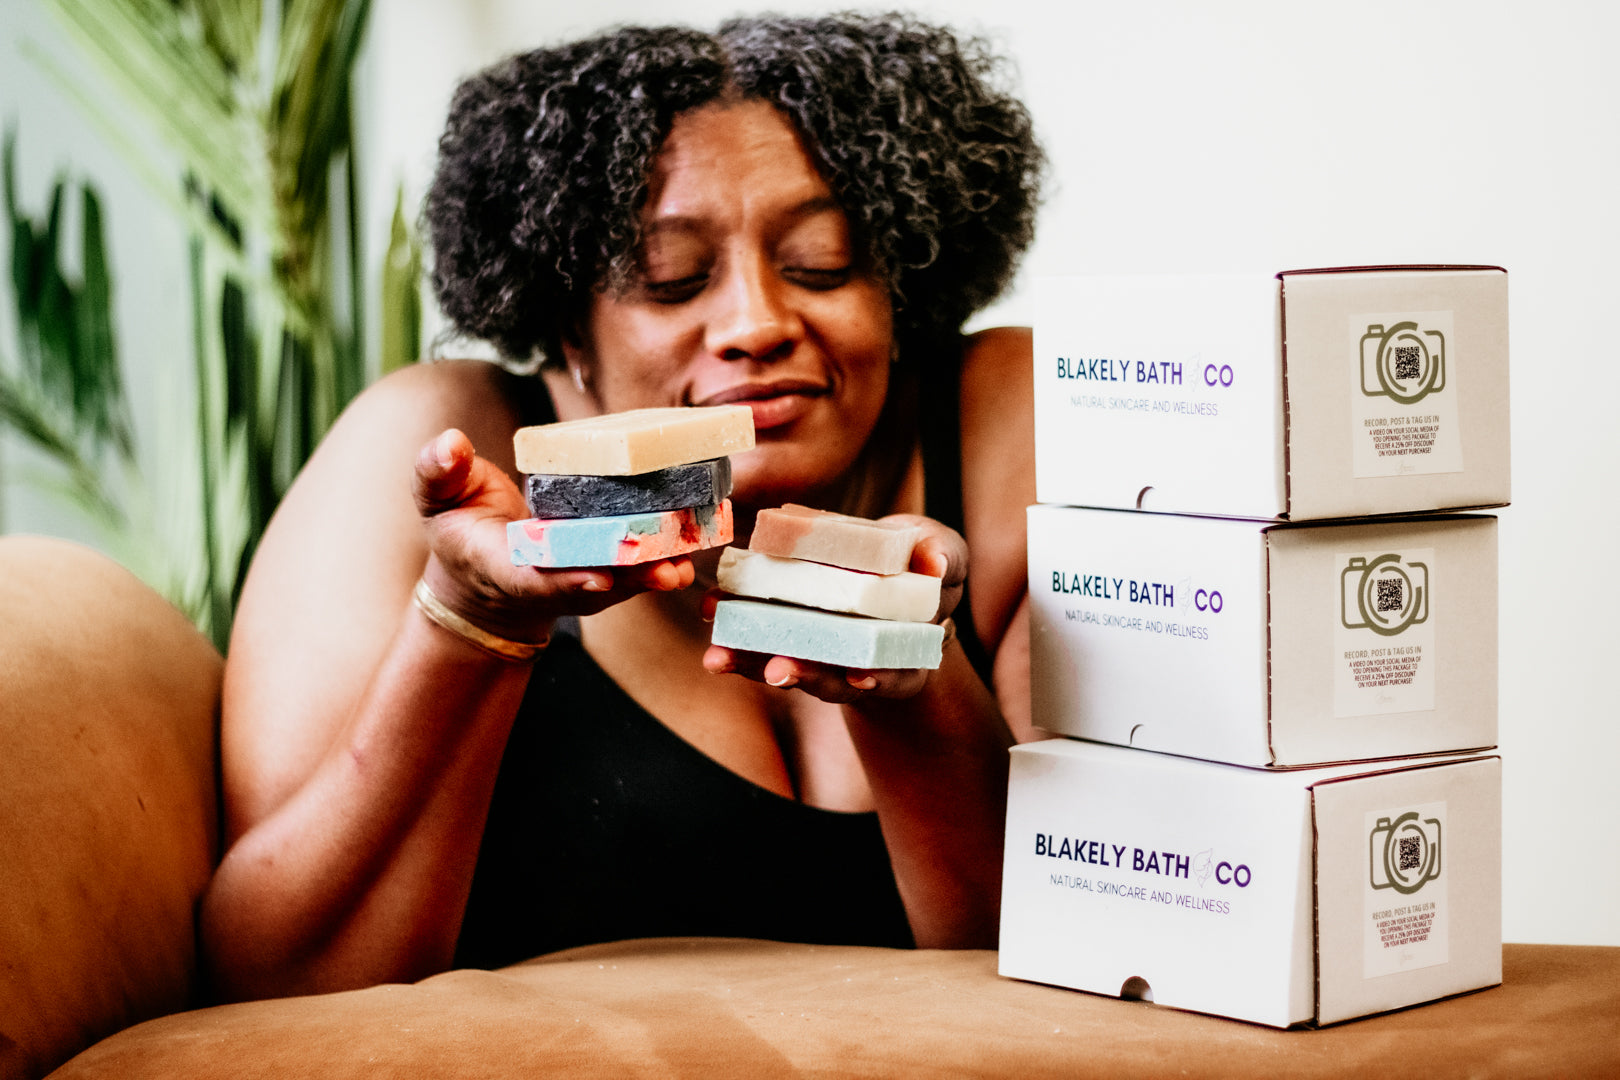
1279, 898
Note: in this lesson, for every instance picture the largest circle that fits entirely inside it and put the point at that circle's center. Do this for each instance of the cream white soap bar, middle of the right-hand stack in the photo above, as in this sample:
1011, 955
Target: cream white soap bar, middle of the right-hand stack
895, 597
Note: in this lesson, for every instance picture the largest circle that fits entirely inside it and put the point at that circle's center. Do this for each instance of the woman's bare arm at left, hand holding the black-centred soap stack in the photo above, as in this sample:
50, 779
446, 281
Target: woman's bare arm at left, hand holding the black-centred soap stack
360, 741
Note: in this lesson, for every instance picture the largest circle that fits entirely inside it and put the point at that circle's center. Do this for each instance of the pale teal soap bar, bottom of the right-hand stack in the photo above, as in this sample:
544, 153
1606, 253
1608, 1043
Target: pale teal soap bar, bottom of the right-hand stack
827, 637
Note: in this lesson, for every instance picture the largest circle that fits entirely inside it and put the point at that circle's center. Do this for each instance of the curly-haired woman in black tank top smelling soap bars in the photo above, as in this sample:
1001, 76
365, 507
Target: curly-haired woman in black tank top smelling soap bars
788, 215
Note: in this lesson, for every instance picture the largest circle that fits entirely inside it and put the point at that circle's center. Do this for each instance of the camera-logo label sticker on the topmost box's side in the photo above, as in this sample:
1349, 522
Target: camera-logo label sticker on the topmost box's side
1404, 398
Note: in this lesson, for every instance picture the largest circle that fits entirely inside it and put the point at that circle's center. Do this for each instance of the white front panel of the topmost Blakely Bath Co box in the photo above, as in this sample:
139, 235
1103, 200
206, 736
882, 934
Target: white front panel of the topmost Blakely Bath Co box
1159, 393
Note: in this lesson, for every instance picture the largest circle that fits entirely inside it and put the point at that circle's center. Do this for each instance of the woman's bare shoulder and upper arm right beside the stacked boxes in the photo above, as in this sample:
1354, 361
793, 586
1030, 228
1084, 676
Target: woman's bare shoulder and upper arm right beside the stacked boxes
999, 470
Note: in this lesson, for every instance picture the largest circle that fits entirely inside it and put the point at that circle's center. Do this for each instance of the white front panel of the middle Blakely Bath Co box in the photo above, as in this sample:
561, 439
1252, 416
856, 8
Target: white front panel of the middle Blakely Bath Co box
1149, 631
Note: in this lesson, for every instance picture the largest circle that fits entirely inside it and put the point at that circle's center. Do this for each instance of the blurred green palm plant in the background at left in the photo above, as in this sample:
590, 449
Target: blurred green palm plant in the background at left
262, 116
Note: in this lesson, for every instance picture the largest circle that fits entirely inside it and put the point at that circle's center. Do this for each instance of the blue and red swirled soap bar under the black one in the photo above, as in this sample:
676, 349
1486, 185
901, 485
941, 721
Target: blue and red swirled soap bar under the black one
621, 540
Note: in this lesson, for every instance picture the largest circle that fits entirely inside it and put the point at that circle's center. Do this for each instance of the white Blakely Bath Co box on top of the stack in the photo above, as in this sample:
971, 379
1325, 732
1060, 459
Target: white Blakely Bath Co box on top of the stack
1303, 396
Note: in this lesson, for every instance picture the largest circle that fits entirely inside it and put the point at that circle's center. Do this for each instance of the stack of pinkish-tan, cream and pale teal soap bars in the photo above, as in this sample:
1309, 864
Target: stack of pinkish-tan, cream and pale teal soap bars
846, 597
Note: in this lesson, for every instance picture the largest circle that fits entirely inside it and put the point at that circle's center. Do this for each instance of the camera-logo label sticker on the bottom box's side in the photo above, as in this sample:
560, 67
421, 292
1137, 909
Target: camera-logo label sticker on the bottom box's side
1407, 914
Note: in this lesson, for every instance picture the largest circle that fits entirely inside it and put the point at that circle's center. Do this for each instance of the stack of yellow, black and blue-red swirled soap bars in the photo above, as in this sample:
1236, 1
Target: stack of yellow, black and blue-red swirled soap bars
628, 488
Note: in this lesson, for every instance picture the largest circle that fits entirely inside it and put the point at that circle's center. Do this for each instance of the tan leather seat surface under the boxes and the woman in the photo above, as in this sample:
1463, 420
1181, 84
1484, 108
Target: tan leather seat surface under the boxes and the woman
717, 1008
